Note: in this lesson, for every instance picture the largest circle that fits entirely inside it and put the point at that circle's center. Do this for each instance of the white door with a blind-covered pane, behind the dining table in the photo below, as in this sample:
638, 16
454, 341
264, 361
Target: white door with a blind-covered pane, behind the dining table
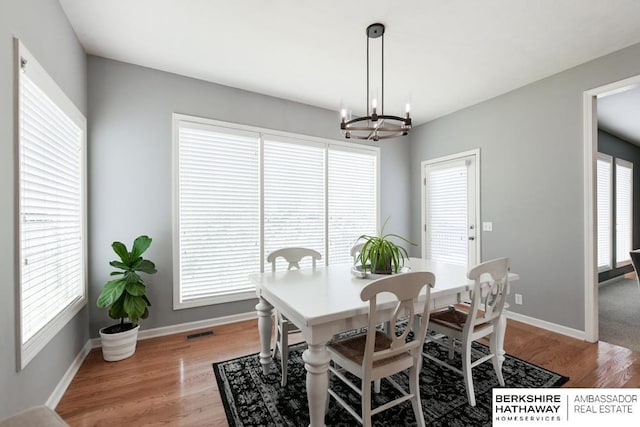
451, 209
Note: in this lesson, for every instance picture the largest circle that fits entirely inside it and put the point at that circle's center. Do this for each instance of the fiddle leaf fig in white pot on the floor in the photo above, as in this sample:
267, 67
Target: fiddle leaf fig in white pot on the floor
126, 298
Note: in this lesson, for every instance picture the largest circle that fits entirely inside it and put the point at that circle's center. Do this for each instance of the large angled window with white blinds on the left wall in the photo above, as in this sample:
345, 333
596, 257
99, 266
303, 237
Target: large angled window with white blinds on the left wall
51, 207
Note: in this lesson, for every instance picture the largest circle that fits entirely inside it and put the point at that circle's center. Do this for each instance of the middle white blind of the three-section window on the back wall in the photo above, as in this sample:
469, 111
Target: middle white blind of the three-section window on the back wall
294, 212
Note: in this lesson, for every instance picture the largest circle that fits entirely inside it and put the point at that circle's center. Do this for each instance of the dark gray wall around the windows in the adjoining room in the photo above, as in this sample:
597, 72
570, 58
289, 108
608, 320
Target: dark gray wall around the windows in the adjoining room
621, 149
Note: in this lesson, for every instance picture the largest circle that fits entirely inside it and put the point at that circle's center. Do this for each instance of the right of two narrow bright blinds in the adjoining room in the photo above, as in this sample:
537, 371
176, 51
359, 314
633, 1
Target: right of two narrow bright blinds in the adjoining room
624, 211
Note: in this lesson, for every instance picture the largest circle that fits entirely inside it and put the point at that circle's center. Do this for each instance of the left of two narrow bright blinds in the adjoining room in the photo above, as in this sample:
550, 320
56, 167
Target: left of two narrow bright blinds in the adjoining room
604, 187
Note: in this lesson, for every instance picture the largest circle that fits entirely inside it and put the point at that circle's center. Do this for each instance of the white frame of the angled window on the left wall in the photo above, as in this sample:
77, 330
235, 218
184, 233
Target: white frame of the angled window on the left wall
37, 74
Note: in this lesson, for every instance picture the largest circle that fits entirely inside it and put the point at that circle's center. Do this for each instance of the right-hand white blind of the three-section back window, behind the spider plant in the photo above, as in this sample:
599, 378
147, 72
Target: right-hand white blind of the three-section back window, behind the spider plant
352, 187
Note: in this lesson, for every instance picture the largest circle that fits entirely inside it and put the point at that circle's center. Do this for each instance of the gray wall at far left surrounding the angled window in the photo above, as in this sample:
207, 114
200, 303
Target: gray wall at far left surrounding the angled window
43, 28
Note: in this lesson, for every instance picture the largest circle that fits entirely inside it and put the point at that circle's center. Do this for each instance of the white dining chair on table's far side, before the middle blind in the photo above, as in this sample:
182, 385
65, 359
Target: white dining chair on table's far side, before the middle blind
284, 327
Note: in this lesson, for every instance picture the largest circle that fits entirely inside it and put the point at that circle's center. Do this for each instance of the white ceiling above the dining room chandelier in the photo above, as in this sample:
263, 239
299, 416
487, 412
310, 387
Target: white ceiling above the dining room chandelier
443, 54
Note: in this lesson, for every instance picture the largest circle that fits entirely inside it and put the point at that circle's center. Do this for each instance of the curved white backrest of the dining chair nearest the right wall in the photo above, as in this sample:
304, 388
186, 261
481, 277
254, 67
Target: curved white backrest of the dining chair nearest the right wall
489, 292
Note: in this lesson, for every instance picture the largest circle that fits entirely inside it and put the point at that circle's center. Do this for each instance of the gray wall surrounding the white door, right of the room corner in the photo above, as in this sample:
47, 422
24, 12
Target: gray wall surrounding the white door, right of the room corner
531, 180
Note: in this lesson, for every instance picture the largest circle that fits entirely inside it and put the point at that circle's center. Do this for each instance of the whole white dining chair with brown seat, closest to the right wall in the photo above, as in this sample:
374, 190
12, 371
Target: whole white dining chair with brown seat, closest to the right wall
456, 327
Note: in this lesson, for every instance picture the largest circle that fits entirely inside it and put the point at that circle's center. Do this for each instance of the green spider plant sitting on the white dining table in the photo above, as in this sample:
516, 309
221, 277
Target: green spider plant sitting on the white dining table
381, 254
